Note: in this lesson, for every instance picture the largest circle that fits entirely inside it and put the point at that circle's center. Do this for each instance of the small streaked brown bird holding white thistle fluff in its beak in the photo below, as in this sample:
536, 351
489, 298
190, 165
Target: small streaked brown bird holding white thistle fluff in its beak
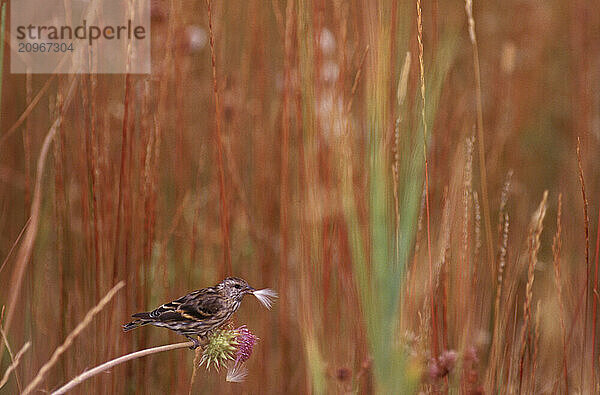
200, 312
